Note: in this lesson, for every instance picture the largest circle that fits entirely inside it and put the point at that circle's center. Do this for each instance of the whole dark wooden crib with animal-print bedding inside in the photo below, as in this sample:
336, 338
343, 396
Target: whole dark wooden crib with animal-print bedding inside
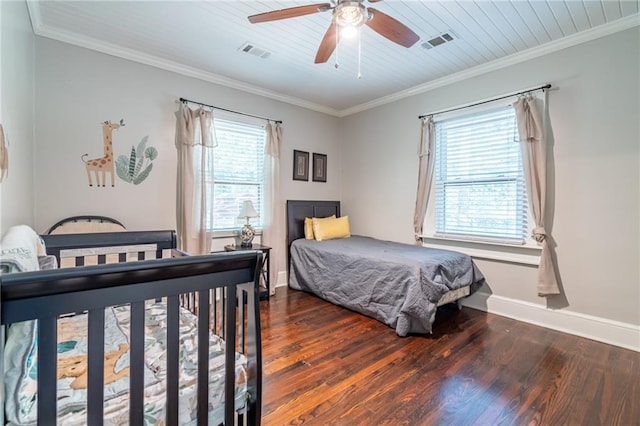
157, 338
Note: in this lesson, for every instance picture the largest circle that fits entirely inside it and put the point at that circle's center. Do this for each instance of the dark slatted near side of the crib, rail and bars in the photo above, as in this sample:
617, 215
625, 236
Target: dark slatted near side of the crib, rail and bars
231, 277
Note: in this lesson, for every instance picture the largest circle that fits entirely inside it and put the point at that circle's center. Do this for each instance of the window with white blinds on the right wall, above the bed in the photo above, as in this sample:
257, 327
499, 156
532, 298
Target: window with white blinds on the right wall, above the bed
480, 192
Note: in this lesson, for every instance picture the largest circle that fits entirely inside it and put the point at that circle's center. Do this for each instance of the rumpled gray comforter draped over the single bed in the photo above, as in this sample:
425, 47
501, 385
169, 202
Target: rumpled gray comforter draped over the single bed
397, 284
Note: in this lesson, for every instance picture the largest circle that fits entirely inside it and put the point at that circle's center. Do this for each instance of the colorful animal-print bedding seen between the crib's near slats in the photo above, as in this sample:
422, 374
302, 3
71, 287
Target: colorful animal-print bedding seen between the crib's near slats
21, 370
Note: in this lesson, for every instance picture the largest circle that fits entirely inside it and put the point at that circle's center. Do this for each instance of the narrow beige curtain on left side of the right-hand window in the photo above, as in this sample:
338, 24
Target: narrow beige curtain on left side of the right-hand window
425, 175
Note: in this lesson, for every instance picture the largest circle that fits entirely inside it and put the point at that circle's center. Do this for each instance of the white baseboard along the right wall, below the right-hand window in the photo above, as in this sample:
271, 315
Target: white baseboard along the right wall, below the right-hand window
603, 330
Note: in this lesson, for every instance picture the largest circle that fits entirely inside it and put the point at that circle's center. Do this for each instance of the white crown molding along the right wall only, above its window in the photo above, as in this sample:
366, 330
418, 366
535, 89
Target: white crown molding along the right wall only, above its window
516, 58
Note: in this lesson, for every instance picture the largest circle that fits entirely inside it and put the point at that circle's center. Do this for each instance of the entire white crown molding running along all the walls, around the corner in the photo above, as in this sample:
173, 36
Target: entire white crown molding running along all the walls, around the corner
136, 56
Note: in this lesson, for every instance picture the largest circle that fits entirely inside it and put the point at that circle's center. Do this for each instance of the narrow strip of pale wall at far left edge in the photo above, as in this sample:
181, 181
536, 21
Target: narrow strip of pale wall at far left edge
16, 113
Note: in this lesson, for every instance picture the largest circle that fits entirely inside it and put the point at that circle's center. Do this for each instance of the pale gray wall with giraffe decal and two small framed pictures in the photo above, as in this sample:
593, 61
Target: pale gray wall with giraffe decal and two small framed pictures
77, 89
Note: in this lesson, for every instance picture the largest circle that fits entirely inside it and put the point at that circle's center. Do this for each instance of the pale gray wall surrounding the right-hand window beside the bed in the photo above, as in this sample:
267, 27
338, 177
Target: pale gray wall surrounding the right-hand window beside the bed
594, 114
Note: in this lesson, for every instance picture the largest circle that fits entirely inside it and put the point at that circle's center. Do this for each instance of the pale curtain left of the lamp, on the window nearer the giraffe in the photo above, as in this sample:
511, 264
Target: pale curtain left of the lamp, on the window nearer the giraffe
195, 140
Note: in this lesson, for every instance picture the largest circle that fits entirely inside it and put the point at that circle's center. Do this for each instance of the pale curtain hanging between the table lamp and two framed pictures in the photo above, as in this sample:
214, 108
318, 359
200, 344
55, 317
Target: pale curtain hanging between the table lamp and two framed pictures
273, 231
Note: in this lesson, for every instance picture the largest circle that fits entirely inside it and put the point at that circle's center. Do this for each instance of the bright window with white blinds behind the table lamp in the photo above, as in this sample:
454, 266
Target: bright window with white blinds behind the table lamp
238, 174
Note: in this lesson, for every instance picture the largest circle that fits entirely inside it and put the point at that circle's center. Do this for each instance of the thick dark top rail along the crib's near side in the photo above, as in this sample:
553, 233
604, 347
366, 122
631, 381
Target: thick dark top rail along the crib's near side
31, 287
